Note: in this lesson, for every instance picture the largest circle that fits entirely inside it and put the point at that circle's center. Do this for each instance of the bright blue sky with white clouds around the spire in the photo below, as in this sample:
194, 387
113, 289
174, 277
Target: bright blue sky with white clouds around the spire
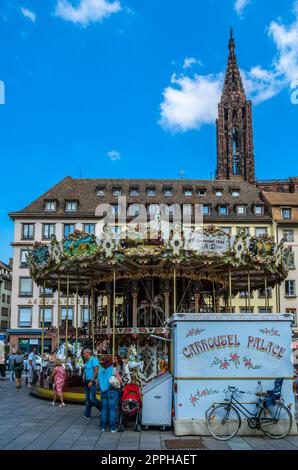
128, 88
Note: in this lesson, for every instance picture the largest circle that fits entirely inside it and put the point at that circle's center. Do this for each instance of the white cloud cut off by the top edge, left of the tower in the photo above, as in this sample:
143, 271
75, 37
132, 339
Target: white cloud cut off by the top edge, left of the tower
86, 11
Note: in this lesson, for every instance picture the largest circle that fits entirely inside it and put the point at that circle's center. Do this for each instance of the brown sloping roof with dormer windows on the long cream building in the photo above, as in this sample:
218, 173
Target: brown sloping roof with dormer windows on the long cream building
85, 192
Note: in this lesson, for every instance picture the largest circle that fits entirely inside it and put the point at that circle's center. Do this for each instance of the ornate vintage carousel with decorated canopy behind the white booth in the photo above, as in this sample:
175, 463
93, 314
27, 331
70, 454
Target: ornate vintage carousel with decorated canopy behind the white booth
133, 282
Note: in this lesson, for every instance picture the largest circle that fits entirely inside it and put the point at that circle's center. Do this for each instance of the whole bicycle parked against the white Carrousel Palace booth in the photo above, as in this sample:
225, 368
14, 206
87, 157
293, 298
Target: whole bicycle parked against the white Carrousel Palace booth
224, 419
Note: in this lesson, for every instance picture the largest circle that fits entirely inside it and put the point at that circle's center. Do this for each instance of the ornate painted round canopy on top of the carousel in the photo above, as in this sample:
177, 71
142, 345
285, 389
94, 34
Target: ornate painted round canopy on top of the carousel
206, 254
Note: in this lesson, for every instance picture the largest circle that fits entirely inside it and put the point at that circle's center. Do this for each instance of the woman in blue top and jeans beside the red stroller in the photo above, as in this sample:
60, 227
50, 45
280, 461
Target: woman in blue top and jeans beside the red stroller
109, 395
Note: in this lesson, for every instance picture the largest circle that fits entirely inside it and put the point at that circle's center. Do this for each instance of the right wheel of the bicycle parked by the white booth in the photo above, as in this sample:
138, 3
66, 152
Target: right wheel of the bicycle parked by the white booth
276, 421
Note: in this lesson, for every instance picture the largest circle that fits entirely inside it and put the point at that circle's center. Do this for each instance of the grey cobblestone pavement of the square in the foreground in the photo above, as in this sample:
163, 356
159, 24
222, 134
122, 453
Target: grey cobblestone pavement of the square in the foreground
30, 423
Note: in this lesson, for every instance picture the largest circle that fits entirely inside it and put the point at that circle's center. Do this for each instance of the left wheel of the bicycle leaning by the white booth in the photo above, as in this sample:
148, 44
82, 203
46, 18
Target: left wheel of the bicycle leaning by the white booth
223, 422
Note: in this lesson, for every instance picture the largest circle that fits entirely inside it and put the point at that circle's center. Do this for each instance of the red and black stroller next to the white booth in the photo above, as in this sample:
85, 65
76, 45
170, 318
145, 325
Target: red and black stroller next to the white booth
130, 407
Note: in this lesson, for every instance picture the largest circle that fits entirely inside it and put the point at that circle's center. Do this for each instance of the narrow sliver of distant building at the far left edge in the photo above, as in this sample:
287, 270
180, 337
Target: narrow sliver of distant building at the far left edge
5, 296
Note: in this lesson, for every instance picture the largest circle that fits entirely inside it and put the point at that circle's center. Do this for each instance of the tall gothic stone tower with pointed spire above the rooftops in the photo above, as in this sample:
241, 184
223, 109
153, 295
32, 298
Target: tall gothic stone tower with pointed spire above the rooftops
235, 152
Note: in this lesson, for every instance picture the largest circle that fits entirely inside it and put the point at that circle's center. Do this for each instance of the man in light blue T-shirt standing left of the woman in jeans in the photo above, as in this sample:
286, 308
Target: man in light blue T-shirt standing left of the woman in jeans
90, 378
